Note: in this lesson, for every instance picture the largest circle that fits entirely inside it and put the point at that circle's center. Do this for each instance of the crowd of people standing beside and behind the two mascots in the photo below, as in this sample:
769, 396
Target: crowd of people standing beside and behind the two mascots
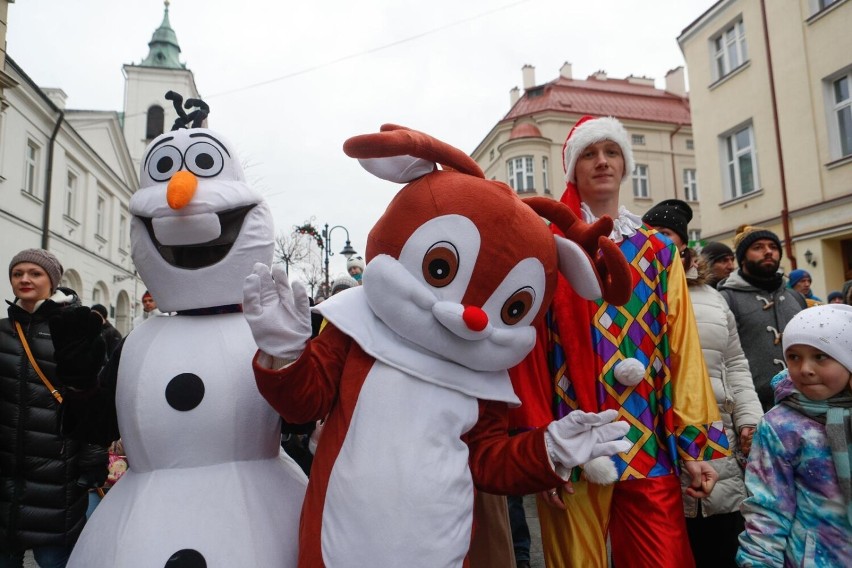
734, 378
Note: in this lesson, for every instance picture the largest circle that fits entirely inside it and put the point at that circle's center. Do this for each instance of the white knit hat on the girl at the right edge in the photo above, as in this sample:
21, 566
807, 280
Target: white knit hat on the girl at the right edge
827, 328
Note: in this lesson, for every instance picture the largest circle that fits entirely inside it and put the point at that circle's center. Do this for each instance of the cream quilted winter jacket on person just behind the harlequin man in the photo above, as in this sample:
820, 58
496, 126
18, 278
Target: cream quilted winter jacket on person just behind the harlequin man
735, 395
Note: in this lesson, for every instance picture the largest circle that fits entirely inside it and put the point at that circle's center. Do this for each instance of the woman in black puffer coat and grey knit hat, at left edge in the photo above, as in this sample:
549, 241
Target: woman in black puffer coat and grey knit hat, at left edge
45, 476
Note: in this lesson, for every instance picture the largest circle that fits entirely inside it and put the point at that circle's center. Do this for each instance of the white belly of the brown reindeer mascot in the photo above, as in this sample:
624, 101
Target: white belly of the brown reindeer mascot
403, 451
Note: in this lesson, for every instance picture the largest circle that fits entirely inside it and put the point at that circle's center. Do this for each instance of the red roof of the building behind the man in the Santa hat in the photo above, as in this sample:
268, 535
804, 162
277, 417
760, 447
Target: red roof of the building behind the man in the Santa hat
609, 97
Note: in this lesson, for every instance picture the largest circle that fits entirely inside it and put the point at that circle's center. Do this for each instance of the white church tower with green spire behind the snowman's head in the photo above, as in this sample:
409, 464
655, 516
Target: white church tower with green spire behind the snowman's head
147, 113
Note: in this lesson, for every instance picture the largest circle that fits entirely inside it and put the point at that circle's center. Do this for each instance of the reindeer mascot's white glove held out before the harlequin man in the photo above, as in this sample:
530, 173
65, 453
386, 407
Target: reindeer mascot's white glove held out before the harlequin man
583, 436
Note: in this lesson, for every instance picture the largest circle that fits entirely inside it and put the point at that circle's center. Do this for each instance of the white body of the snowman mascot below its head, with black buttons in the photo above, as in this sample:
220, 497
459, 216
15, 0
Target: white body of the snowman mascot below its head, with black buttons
208, 484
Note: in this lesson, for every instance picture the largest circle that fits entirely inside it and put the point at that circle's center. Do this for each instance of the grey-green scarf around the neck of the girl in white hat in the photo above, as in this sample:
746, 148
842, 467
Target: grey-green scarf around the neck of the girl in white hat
836, 414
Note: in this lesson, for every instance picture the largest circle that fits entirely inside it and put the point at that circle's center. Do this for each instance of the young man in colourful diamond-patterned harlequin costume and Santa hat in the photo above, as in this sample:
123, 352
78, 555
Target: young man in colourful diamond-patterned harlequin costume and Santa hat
644, 360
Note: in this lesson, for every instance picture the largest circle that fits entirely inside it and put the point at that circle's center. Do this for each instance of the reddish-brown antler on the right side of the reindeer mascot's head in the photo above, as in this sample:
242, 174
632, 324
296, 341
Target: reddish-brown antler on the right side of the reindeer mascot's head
611, 266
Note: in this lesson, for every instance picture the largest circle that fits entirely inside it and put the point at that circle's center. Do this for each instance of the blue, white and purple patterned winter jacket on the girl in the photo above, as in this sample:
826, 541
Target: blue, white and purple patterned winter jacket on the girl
795, 515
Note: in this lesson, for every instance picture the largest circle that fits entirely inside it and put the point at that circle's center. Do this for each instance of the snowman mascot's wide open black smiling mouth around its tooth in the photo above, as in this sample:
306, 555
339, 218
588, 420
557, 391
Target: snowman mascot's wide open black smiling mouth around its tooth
204, 254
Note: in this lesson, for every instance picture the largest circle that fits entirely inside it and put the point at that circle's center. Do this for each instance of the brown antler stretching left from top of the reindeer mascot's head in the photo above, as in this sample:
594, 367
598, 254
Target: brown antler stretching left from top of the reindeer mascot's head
394, 140
